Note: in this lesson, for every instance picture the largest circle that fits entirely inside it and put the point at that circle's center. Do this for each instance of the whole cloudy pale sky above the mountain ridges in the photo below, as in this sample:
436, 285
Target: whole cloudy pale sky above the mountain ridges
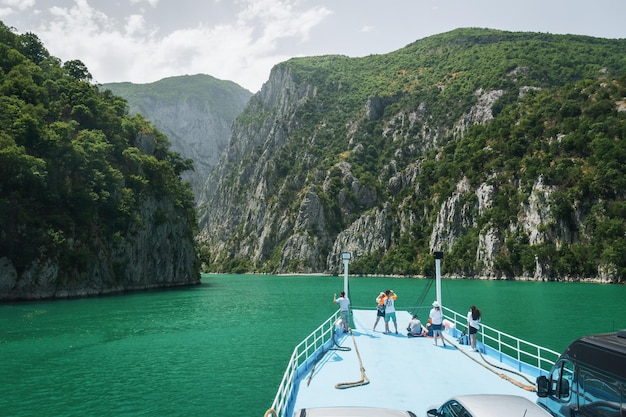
144, 41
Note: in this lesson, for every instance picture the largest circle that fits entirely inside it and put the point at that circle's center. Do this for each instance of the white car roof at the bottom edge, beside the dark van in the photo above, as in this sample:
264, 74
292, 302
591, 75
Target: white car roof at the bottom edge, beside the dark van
497, 405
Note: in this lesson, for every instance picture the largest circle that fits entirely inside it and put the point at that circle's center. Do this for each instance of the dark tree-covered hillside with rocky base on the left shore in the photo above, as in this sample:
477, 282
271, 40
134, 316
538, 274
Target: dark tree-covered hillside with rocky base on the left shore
91, 200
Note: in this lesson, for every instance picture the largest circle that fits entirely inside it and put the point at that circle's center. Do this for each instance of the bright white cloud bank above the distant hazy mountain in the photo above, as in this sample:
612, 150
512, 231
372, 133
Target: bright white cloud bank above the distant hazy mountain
130, 49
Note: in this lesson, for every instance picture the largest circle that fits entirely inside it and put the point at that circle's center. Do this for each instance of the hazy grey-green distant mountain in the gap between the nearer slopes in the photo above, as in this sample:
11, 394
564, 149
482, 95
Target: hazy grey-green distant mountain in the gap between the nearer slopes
195, 112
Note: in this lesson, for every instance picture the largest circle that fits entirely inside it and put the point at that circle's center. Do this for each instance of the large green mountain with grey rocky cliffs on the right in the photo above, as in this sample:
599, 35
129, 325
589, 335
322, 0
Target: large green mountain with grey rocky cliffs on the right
503, 150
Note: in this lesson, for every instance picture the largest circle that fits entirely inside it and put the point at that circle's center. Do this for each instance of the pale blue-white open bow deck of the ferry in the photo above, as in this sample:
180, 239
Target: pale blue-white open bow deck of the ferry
404, 373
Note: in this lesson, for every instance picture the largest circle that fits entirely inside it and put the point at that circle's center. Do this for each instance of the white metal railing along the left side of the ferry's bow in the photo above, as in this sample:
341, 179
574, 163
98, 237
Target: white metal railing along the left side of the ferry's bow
307, 350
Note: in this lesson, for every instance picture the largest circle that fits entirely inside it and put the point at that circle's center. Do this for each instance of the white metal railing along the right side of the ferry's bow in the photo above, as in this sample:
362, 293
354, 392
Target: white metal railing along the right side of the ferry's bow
508, 348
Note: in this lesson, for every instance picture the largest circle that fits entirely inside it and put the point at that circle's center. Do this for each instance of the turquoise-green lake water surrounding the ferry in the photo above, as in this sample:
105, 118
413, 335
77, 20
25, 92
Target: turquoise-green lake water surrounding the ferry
221, 348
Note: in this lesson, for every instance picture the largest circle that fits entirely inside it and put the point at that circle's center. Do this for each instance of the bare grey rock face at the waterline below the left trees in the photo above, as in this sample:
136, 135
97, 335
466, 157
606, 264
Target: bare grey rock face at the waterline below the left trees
157, 255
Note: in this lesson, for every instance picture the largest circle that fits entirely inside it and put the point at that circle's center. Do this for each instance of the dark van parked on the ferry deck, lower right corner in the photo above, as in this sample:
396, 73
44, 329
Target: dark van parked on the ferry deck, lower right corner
588, 379
